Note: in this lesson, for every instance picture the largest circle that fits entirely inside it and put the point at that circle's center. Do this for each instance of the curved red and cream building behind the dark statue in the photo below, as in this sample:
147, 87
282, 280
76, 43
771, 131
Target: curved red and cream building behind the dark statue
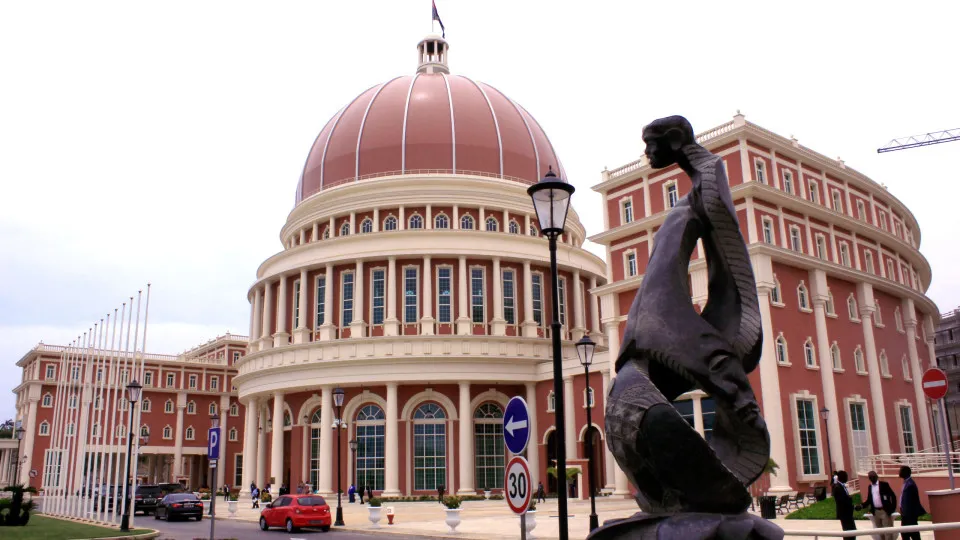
841, 282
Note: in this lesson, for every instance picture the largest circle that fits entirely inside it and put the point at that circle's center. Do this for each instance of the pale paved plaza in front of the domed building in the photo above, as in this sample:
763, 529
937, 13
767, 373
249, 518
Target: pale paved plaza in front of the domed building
493, 520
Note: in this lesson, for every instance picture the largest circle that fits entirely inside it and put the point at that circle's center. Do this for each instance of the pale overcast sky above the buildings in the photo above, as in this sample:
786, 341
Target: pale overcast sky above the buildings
163, 141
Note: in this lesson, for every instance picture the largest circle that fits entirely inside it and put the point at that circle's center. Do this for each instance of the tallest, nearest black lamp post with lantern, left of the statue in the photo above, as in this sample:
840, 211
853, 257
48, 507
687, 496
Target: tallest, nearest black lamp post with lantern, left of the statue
551, 200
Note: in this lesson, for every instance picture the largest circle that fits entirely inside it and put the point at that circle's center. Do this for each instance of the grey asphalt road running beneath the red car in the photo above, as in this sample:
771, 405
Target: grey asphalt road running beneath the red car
244, 530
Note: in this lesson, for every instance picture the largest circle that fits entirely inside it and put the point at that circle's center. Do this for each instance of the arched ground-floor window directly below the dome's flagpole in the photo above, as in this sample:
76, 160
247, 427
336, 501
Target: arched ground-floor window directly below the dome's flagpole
429, 447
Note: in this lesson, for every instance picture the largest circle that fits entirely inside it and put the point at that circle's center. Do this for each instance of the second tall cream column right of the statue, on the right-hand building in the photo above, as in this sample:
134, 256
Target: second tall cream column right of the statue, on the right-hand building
818, 281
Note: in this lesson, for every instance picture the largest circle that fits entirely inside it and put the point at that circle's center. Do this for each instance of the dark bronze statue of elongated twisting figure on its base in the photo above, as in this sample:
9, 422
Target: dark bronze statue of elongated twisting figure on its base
689, 488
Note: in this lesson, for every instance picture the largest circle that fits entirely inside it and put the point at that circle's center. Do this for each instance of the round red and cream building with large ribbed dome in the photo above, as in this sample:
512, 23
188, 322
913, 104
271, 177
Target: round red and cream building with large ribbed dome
414, 278
